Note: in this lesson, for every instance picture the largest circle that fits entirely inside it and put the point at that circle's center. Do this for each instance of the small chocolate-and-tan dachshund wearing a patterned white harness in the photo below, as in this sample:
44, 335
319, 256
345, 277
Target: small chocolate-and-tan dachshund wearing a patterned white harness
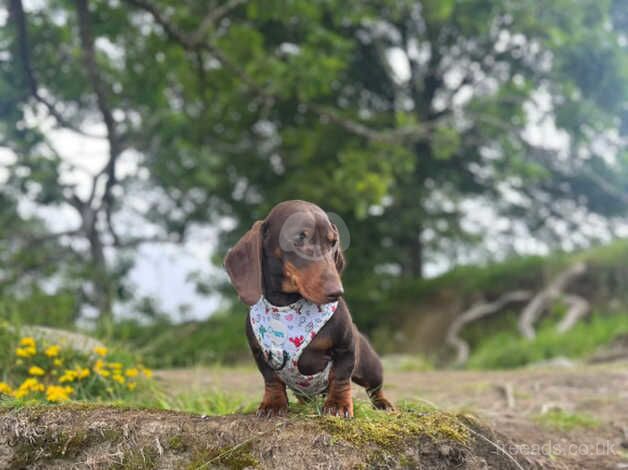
288, 267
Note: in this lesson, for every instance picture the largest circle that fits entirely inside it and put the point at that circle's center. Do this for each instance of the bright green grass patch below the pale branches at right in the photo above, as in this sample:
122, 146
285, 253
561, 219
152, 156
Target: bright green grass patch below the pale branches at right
507, 349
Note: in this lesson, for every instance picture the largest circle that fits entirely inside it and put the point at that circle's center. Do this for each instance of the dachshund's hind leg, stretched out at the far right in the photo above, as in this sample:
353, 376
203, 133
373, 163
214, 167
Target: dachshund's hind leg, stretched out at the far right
369, 373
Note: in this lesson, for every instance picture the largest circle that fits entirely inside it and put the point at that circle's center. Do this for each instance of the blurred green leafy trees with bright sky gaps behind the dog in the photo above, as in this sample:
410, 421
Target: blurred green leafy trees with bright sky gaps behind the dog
423, 124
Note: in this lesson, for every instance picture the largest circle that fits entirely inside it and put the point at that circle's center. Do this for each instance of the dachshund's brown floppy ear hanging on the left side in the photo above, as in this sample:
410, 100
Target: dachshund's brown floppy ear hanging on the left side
244, 265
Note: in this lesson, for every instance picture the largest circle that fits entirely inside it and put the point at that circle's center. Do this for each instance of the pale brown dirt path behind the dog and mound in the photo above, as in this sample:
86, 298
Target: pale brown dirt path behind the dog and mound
589, 430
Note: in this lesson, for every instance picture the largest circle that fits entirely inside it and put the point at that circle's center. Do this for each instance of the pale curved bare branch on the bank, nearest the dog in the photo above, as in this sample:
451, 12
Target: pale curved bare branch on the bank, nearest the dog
475, 313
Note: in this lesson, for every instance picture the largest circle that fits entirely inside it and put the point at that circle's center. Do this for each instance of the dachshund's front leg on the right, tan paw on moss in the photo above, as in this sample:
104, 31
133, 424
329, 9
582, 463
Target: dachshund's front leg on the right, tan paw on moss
339, 400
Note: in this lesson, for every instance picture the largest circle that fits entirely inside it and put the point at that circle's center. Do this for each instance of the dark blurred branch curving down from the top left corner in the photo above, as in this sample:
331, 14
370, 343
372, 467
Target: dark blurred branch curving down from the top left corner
19, 19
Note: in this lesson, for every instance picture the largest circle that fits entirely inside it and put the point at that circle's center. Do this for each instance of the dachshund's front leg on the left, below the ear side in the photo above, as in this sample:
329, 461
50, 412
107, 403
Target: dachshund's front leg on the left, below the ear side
275, 400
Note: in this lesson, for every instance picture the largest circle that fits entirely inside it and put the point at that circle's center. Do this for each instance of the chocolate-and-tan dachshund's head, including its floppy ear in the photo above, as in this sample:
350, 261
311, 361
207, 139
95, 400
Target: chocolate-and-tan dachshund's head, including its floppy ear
296, 250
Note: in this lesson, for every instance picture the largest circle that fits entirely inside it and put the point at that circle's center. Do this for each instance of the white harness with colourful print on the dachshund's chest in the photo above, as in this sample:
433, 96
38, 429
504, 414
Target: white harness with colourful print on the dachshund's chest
284, 332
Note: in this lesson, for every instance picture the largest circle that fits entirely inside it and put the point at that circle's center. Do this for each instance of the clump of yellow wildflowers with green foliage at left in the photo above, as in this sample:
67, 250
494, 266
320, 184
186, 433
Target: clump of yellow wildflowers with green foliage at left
44, 376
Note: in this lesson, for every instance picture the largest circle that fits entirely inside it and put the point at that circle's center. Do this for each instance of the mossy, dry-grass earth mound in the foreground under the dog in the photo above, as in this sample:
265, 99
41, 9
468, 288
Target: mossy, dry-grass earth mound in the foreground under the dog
103, 437
